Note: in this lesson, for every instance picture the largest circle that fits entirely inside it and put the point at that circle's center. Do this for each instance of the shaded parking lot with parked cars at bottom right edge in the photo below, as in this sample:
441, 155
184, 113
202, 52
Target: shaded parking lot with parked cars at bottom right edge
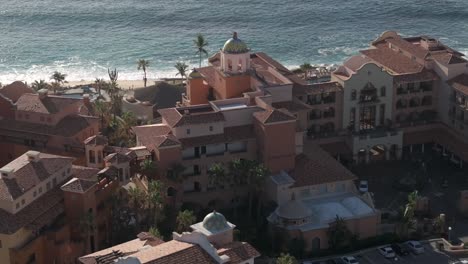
431, 255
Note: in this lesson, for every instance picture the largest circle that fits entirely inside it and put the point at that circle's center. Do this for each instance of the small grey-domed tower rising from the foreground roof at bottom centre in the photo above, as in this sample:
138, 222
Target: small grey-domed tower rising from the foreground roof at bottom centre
216, 228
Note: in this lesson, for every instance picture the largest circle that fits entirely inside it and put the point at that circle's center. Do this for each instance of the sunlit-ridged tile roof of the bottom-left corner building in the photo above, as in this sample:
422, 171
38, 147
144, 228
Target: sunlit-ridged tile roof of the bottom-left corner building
28, 174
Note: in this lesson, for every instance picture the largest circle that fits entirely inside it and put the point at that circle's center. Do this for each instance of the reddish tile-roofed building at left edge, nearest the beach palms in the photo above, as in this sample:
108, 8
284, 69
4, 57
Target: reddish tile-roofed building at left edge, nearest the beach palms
43, 122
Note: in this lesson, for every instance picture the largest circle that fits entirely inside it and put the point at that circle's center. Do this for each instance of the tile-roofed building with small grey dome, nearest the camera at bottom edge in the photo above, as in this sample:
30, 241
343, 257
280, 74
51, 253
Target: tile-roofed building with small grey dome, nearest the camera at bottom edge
211, 241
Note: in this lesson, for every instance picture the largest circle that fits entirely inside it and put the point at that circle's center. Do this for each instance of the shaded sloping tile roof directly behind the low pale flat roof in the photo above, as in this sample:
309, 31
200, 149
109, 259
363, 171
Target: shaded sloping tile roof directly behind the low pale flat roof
318, 167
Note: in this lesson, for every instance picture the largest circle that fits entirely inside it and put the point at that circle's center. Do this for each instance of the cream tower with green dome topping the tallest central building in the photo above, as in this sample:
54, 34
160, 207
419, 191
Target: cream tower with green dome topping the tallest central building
235, 55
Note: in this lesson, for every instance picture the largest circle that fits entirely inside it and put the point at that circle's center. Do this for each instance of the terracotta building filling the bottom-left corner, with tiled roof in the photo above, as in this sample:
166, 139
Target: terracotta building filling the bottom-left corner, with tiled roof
43, 199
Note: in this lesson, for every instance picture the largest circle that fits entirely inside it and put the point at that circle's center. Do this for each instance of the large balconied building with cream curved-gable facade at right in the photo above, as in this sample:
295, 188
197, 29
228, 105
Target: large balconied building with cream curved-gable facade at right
401, 95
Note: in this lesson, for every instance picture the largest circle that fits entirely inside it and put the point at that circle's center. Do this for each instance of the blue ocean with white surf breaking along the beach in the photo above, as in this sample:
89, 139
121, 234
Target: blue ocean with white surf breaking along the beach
83, 38
